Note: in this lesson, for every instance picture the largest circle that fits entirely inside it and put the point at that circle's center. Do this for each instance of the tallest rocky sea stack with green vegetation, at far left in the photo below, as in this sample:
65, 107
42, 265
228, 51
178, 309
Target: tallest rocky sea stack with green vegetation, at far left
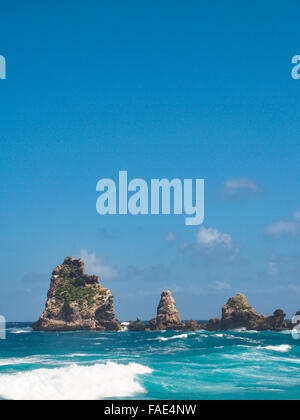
77, 301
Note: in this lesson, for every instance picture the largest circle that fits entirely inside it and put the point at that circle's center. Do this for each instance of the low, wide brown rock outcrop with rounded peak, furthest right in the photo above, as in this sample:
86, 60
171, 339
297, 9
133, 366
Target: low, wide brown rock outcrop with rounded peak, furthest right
237, 313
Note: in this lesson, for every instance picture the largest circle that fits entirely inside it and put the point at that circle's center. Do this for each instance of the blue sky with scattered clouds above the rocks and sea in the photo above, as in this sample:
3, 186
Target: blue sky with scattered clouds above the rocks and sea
160, 89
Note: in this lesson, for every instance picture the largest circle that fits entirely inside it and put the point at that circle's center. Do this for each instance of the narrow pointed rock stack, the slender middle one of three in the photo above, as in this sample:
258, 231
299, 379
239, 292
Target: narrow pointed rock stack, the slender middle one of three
168, 317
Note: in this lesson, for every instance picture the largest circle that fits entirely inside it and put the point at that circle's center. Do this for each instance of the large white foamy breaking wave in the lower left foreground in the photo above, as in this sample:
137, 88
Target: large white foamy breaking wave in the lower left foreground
75, 382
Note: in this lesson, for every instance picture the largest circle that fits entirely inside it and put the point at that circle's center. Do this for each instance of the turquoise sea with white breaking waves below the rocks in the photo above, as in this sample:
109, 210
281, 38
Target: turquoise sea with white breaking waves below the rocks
149, 365
